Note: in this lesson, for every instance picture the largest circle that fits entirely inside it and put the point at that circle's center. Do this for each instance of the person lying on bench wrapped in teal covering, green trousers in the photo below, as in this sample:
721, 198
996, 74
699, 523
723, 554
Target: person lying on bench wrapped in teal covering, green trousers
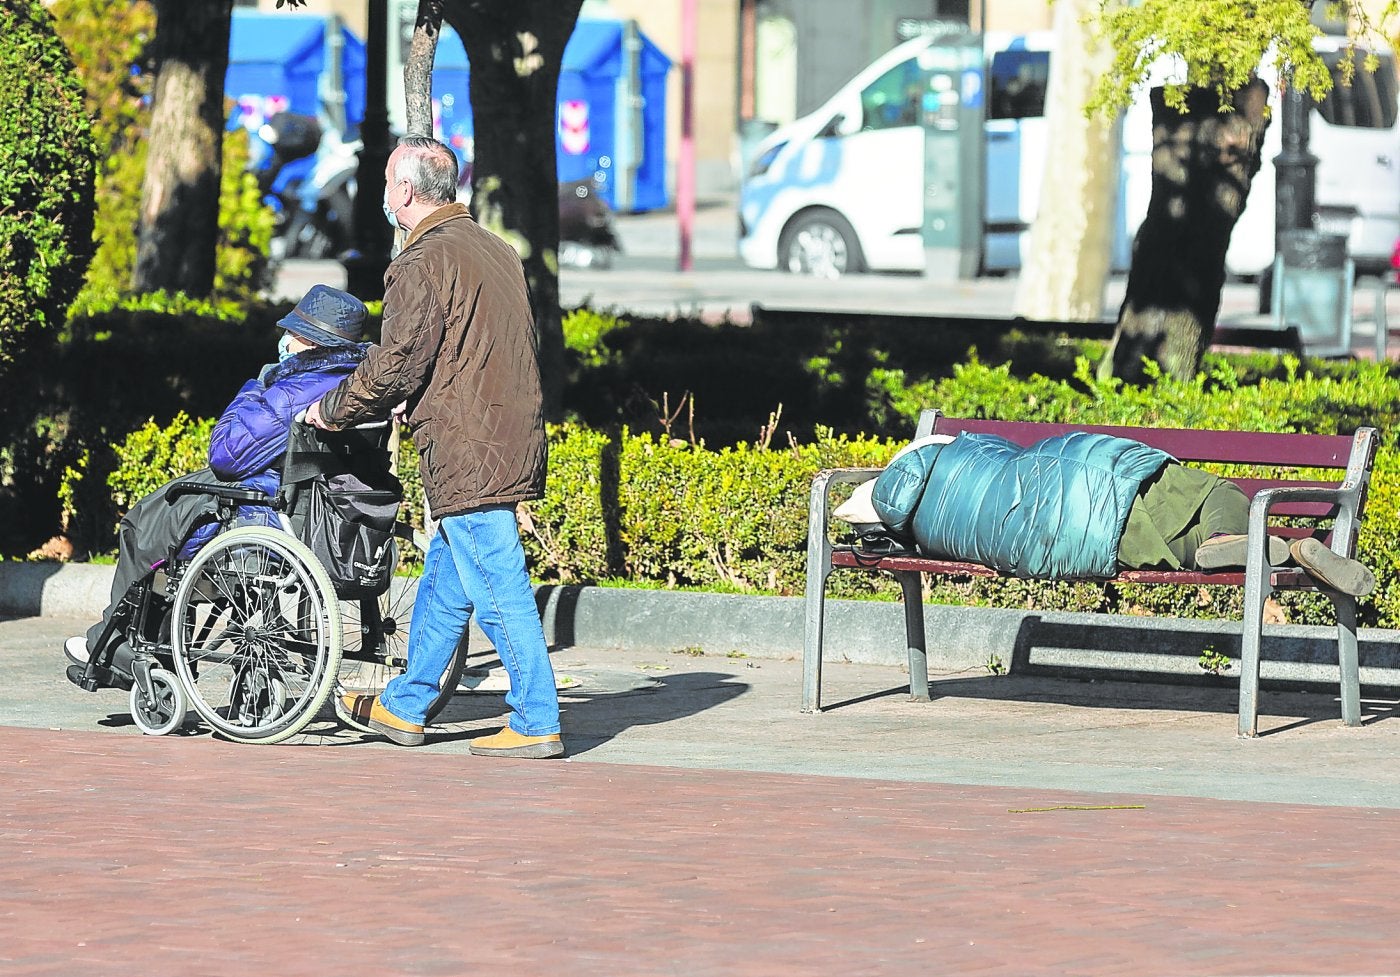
1080, 507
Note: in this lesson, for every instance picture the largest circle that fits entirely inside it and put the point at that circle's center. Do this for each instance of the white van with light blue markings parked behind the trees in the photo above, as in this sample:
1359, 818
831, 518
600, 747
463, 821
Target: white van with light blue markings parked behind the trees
841, 190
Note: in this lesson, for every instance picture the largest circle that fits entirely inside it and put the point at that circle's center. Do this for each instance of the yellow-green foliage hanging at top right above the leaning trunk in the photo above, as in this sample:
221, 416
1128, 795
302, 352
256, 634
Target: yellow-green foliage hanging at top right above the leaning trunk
1220, 44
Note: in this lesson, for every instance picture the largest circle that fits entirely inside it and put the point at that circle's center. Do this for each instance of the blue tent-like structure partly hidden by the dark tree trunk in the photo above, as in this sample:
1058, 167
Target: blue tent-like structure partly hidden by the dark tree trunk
590, 132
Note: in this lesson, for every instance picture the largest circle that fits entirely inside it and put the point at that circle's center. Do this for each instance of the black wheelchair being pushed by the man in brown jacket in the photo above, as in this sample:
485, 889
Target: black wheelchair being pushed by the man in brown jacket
251, 633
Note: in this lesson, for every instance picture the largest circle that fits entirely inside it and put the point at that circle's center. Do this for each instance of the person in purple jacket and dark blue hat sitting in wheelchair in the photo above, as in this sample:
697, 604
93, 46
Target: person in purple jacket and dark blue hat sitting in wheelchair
318, 349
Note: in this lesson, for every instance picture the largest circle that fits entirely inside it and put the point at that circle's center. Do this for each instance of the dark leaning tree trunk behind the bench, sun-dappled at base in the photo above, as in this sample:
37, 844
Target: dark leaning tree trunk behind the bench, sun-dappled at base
1203, 163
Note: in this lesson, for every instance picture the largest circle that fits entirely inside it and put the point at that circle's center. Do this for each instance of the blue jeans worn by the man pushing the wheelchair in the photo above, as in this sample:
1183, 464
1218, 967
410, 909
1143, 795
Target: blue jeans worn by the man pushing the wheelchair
475, 563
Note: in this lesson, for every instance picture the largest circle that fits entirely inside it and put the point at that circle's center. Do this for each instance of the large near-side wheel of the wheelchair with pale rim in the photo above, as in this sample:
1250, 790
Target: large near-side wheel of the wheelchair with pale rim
257, 635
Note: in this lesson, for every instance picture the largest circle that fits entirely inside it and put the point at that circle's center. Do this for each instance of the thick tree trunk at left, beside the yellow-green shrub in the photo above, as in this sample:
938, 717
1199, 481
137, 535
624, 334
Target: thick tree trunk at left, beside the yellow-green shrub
180, 199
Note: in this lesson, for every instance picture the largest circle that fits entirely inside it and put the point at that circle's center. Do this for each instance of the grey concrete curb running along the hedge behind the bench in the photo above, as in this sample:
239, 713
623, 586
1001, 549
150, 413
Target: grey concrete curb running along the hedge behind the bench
864, 632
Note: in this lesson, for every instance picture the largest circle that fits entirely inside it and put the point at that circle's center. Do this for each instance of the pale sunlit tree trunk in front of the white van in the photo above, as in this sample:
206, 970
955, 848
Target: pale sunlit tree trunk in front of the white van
1072, 240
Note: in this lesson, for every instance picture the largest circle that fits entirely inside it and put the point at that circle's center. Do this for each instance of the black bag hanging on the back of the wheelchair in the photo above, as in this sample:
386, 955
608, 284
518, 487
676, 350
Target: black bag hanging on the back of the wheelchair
342, 502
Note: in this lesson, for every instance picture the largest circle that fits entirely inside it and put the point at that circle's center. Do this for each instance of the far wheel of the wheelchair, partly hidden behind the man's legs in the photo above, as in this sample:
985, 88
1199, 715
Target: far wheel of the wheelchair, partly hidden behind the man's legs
377, 642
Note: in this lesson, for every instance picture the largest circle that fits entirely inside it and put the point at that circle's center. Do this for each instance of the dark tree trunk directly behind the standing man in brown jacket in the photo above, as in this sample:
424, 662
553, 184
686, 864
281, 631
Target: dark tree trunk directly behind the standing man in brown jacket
516, 50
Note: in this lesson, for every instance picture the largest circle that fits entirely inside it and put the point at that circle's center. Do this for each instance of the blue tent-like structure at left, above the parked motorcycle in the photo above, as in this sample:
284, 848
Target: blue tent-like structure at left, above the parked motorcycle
282, 57
